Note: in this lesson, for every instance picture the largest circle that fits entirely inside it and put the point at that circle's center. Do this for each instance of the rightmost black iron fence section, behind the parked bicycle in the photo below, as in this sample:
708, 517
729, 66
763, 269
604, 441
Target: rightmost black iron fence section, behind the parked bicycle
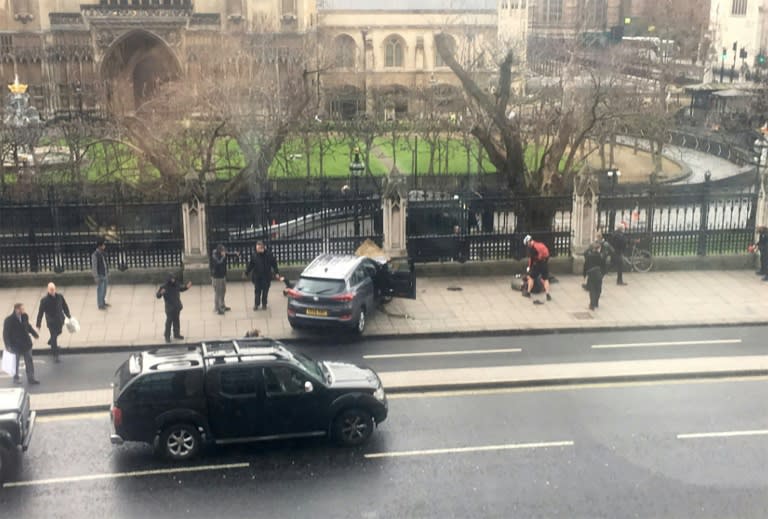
698, 221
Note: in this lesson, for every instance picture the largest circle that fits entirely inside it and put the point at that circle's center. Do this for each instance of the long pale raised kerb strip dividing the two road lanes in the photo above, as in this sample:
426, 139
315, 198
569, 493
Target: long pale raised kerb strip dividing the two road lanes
489, 377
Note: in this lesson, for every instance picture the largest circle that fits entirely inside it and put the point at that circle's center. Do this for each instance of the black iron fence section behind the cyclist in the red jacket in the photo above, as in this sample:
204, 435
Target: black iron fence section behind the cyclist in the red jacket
455, 228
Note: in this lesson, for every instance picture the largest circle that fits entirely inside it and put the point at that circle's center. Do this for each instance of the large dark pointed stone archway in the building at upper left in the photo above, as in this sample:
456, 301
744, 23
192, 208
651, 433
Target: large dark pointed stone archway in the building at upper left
135, 66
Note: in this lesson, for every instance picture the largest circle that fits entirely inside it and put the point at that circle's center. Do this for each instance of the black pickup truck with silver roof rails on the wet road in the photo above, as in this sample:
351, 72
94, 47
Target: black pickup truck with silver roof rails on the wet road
235, 391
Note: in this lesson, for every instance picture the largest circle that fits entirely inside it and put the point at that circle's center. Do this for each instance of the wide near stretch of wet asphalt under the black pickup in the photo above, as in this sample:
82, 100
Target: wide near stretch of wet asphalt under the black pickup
625, 460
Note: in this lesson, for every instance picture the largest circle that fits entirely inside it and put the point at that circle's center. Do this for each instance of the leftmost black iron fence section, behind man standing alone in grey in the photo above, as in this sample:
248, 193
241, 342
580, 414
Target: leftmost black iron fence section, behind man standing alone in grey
59, 237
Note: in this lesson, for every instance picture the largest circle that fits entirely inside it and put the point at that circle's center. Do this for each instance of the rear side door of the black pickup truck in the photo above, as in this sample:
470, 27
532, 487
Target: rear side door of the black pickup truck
235, 402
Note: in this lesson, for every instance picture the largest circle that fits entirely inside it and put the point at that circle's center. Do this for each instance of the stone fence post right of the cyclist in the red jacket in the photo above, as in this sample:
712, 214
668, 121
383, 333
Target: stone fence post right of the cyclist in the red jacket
585, 217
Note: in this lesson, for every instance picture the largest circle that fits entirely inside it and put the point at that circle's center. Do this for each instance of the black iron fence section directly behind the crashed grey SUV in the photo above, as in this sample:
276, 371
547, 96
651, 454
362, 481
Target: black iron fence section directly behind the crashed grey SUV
296, 229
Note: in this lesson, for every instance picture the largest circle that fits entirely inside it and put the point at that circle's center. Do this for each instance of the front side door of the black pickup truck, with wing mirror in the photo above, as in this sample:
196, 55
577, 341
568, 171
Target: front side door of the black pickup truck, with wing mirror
291, 406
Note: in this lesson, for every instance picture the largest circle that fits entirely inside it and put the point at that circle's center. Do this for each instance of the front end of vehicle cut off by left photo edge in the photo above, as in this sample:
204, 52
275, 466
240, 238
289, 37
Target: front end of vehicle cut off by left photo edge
17, 421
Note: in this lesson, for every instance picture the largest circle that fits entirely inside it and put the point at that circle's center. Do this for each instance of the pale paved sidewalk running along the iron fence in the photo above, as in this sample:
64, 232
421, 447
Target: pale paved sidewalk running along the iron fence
443, 305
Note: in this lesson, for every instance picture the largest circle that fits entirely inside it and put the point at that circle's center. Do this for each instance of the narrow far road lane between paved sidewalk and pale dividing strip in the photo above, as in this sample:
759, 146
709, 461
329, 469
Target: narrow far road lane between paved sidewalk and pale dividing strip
95, 370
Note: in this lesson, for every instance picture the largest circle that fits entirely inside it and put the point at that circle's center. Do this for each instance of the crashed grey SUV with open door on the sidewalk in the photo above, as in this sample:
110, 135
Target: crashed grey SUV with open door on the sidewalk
344, 290
